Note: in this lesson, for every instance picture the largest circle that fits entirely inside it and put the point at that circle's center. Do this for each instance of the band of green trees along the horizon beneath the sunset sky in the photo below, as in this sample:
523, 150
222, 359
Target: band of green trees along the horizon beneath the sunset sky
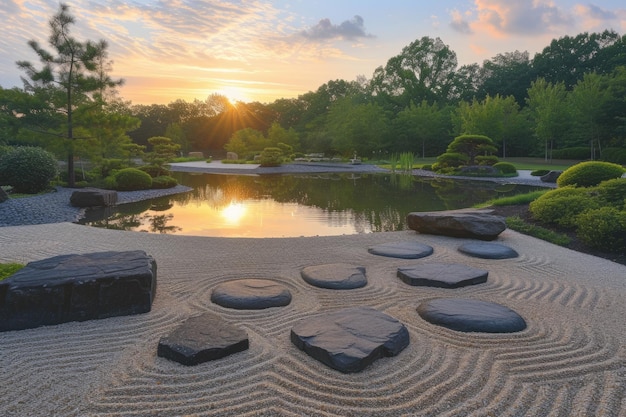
572, 95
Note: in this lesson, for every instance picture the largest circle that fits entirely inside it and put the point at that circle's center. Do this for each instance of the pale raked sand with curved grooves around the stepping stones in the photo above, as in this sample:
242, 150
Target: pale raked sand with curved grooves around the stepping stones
570, 361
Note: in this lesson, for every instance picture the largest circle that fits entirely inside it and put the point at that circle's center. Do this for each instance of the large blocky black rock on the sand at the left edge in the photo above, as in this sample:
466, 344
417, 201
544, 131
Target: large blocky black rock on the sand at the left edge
77, 288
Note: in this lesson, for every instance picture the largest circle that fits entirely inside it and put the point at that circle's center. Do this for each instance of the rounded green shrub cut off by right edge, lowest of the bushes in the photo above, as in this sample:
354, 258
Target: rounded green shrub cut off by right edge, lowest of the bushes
603, 228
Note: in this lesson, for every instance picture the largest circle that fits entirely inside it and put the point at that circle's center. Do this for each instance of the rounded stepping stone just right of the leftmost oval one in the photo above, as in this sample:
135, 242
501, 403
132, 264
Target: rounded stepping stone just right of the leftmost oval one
337, 276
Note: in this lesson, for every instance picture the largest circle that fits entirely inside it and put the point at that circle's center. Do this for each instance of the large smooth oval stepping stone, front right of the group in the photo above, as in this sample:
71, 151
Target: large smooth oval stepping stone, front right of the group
467, 315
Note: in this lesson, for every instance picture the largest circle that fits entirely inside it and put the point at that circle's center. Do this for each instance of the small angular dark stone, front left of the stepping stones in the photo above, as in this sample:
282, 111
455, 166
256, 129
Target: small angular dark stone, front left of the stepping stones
202, 339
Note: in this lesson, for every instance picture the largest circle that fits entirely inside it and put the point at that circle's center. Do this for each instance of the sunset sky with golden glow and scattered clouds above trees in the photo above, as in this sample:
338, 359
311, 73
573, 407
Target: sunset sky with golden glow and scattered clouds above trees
264, 50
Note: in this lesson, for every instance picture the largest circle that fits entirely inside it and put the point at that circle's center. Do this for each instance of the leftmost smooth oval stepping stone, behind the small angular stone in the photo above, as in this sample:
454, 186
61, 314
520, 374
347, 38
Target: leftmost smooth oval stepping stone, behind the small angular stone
251, 294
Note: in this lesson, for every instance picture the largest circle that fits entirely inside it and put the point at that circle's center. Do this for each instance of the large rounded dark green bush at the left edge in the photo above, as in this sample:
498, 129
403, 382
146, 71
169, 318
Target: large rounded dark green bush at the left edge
28, 169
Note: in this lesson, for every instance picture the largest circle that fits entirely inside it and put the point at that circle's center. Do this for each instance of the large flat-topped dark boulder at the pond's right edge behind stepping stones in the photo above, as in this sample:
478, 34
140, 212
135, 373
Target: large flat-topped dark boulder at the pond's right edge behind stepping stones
480, 225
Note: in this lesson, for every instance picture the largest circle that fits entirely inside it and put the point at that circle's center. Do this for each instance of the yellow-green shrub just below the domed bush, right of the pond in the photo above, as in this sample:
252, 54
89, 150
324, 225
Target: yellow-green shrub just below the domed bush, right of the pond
562, 206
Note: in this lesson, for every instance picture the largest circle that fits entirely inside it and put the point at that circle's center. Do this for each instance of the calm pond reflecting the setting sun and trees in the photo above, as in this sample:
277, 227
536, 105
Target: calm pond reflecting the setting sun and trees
295, 205
